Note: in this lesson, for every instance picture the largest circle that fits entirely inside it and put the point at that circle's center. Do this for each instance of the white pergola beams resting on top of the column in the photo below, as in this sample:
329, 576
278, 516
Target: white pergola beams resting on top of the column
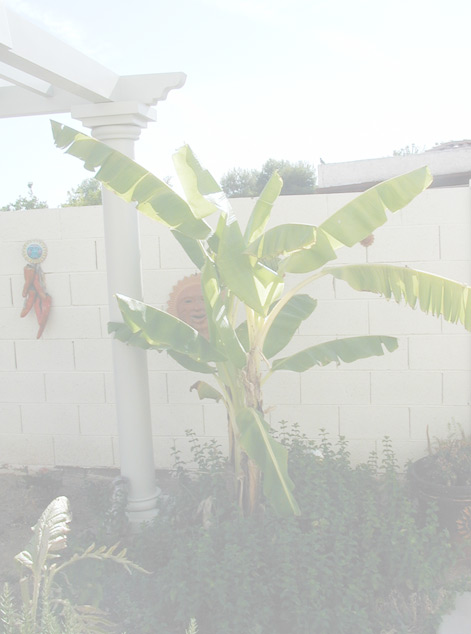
50, 77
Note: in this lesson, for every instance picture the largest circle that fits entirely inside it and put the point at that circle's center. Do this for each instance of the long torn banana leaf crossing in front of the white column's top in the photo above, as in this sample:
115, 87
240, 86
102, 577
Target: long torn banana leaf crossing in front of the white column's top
131, 181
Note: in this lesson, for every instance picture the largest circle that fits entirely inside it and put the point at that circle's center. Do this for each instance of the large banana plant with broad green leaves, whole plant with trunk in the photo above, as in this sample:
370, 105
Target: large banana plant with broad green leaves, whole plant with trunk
244, 271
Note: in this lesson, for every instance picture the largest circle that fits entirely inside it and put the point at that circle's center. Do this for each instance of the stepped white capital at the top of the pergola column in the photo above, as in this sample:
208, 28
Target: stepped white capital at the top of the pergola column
115, 120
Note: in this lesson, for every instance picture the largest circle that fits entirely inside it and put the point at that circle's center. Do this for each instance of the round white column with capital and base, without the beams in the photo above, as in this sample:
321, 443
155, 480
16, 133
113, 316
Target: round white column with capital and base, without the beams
119, 126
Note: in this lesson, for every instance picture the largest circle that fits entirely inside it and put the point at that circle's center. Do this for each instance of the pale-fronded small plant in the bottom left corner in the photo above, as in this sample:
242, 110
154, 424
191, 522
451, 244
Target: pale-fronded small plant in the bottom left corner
43, 609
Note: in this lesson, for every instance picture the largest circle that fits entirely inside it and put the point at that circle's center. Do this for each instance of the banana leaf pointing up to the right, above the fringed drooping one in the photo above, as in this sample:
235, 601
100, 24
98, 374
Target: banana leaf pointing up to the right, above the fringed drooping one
358, 219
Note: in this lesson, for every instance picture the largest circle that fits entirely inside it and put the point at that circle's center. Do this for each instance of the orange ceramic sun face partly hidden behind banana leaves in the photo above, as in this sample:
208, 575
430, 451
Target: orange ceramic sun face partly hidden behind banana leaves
187, 303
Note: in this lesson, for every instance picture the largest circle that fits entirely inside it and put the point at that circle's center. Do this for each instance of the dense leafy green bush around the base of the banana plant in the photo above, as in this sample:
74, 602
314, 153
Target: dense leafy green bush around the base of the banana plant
357, 560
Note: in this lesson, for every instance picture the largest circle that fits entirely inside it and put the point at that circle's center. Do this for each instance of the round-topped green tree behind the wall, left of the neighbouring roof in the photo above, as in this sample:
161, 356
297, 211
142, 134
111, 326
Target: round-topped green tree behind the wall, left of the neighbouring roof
298, 178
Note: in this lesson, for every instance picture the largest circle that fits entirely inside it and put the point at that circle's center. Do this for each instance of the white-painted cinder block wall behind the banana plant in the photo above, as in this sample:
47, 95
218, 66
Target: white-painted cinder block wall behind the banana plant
56, 394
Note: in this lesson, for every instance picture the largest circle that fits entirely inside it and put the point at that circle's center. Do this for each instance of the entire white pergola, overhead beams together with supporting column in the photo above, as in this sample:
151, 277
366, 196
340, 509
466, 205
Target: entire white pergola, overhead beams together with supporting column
39, 75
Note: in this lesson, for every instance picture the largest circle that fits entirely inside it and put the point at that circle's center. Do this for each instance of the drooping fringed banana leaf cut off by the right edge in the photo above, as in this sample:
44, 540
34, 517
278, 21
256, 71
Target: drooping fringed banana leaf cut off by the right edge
432, 293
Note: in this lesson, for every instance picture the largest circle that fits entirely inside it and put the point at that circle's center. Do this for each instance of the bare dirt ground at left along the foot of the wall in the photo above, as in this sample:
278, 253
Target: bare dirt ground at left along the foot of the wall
25, 494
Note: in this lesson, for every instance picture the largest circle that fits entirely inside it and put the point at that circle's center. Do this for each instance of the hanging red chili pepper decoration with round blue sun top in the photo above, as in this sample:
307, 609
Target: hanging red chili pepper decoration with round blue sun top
34, 289
